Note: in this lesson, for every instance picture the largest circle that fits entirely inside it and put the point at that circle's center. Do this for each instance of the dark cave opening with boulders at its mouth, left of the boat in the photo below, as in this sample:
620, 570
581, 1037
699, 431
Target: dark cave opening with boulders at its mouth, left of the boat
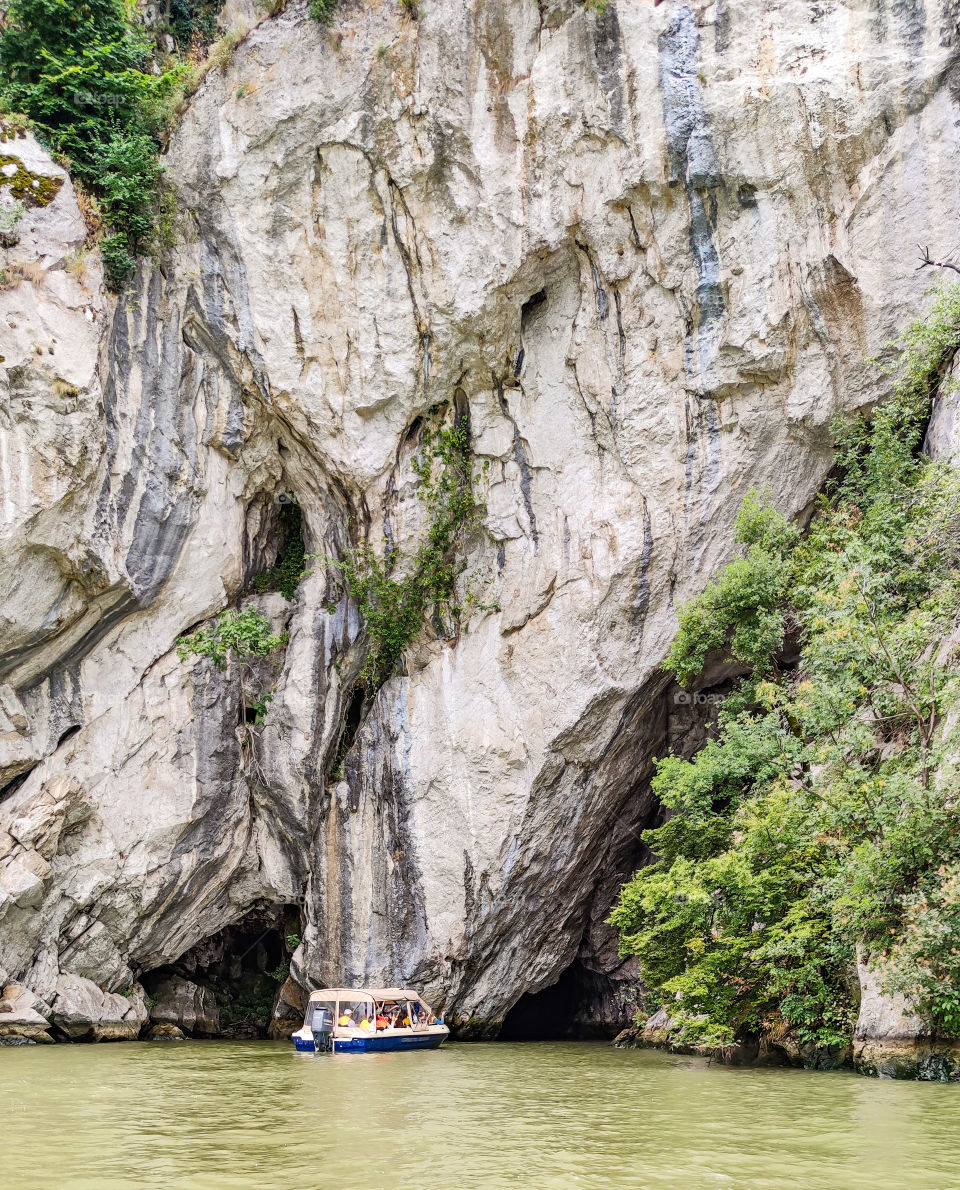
242, 967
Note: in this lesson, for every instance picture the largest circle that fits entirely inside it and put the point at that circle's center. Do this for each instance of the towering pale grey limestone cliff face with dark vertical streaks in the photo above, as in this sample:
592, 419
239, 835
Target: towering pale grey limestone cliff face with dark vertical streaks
648, 252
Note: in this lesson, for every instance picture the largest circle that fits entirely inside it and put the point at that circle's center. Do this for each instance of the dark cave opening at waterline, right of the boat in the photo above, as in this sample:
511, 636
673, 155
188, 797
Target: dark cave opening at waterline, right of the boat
582, 1005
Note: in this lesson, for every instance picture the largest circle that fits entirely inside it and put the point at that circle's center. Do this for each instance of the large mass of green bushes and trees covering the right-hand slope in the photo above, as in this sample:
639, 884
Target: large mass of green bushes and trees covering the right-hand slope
823, 819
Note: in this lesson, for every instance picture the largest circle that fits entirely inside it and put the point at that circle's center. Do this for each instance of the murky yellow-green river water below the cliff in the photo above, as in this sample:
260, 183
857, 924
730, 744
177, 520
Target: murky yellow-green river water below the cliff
259, 1117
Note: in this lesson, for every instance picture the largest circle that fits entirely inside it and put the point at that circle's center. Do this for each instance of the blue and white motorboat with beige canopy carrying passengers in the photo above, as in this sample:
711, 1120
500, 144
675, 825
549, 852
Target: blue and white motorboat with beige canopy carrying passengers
368, 1020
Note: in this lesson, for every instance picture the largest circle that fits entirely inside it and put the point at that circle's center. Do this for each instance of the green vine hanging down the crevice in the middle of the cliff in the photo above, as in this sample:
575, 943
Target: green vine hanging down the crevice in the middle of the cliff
396, 597
